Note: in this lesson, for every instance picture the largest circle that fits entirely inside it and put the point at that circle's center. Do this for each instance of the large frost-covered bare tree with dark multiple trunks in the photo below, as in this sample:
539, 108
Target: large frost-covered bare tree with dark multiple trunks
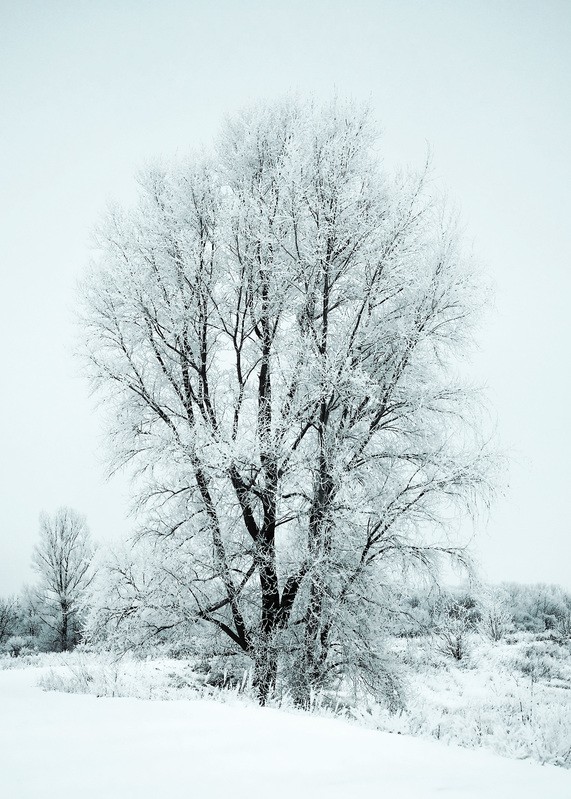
273, 327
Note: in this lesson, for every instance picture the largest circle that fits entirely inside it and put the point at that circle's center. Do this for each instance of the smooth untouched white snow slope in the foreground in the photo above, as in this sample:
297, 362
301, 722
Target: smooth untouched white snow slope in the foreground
56, 744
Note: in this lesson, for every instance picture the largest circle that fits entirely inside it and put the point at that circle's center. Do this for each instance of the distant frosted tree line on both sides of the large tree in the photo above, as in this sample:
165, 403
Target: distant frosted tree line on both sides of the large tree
57, 616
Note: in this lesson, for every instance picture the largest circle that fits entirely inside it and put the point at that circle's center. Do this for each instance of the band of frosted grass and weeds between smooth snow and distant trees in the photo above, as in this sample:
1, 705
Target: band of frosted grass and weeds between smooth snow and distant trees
510, 696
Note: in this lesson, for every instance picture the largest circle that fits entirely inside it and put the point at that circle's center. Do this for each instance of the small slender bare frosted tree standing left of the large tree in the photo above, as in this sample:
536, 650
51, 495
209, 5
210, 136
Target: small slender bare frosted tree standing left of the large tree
63, 559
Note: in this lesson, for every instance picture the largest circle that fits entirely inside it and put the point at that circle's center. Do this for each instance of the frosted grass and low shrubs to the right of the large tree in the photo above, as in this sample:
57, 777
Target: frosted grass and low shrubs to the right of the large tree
512, 698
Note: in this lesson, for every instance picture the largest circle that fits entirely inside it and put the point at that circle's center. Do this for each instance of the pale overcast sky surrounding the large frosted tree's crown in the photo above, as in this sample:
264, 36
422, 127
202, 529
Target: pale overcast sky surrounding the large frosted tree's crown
90, 90
